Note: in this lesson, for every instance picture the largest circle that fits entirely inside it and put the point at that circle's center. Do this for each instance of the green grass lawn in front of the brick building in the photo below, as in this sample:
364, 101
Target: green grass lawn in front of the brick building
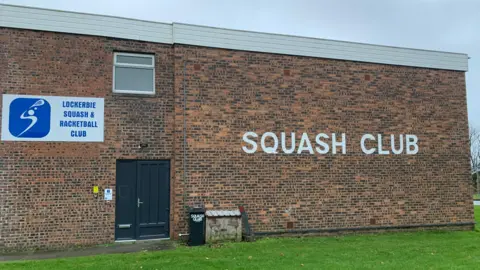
419, 250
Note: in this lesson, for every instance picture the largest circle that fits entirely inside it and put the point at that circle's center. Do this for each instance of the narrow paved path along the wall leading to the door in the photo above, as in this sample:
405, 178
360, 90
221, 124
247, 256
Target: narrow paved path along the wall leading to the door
126, 247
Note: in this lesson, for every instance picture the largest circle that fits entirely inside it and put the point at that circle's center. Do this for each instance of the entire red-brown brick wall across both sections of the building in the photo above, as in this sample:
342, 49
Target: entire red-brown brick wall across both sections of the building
47, 200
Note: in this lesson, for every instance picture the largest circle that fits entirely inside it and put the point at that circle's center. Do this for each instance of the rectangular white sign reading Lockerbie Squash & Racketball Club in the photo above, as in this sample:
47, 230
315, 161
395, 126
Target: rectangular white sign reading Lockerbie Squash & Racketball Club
52, 118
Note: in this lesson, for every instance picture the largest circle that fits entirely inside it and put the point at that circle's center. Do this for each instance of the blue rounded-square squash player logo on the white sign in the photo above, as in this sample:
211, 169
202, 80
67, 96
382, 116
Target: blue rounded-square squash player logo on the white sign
29, 118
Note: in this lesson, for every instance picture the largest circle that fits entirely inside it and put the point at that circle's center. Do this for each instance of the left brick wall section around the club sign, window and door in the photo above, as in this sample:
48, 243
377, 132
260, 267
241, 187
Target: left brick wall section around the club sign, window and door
47, 199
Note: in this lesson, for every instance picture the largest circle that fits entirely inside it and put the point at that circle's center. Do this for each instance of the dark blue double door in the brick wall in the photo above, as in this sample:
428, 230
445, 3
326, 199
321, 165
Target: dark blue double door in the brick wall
143, 199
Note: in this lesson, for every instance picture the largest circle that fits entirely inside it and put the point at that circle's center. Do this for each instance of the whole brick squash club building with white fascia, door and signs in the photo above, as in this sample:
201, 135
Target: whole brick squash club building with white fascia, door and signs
193, 115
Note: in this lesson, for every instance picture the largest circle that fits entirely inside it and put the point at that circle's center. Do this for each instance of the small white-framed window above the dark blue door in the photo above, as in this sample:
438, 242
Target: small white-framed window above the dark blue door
133, 73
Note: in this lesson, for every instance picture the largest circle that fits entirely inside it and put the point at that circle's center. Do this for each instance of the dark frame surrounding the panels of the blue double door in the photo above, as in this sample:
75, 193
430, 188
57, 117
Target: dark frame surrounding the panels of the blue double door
137, 212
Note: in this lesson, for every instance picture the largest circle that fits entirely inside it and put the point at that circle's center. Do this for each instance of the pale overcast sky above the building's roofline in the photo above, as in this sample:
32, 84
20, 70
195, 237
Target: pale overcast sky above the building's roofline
446, 25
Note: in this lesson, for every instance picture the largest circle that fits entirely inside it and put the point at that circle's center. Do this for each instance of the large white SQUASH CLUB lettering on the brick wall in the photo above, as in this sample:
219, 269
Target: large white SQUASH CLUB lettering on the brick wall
370, 144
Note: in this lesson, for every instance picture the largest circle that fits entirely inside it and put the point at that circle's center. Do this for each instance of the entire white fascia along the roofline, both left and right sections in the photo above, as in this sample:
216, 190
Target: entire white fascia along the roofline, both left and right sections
178, 33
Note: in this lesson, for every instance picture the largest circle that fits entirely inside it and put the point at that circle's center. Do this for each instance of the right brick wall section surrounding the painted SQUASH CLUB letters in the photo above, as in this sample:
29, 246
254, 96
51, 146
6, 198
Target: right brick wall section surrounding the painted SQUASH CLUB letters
233, 92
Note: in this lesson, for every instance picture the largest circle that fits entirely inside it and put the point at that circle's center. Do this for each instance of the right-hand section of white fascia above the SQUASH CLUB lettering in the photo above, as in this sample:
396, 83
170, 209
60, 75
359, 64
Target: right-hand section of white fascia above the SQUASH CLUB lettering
314, 47
